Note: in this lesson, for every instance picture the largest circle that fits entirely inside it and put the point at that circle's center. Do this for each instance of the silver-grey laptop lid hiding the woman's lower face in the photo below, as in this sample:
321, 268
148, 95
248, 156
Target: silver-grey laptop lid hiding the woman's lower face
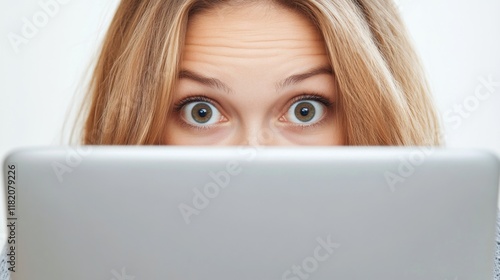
250, 213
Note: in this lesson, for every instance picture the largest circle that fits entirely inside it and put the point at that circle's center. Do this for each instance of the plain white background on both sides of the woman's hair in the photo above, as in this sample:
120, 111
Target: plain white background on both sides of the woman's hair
459, 43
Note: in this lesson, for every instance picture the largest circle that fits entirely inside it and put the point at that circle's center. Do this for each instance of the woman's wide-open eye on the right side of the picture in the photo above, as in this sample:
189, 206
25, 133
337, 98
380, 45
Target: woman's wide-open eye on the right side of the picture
305, 112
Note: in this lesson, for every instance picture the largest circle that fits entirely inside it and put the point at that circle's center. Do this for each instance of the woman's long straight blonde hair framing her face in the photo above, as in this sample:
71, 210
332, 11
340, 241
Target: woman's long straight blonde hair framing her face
384, 96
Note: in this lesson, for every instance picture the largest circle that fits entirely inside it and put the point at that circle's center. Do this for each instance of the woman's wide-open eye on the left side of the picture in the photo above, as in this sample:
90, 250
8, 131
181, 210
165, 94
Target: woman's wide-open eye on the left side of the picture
200, 114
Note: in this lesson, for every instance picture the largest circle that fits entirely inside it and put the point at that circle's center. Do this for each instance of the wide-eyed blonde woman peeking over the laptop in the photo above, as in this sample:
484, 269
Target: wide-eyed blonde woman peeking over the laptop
305, 72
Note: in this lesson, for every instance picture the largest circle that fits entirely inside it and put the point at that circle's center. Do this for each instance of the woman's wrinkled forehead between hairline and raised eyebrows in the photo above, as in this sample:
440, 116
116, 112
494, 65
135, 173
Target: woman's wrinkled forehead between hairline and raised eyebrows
251, 33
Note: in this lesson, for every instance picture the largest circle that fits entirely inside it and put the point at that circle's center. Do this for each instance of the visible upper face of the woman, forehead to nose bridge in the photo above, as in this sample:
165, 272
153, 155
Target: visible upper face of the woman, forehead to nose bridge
254, 74
